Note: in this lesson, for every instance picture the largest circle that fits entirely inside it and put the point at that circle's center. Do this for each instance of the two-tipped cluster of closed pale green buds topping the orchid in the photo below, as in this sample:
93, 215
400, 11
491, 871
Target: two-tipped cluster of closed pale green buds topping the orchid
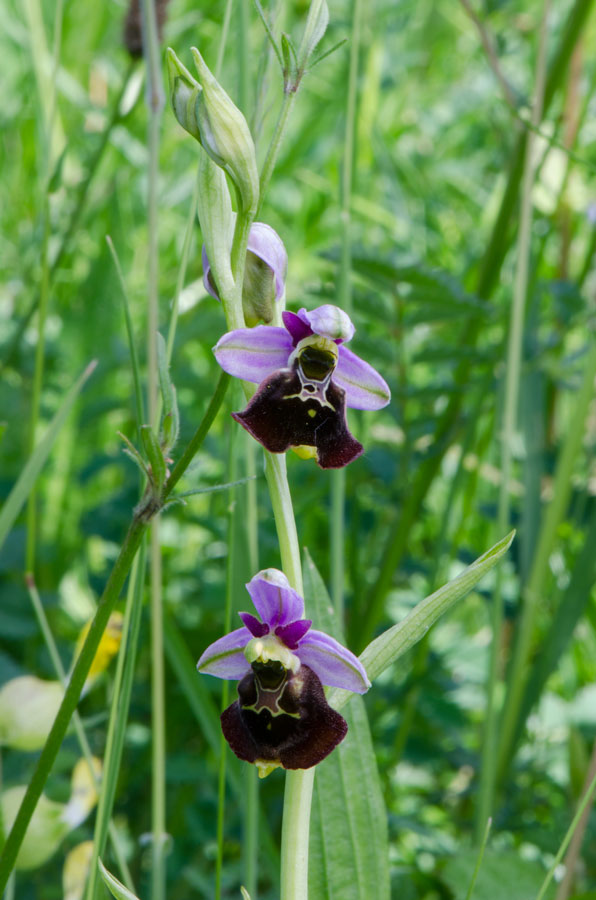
205, 110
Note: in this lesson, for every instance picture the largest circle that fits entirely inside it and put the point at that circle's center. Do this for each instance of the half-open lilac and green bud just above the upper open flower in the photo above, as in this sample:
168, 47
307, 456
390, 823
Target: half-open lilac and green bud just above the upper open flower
264, 273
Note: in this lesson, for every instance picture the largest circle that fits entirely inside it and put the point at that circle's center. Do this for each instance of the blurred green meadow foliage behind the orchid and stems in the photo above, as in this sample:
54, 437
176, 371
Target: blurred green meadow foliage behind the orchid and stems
435, 140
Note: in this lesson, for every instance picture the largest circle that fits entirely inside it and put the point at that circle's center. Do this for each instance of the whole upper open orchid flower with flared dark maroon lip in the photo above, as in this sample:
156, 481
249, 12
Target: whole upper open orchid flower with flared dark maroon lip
306, 378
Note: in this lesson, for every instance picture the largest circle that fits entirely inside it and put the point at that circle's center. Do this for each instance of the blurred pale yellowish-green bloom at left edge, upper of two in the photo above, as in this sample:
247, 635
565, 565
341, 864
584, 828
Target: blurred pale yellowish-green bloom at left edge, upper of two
28, 707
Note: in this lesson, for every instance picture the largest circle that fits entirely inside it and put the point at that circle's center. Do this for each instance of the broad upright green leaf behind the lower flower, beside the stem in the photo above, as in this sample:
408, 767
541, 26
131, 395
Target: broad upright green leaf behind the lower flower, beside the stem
348, 840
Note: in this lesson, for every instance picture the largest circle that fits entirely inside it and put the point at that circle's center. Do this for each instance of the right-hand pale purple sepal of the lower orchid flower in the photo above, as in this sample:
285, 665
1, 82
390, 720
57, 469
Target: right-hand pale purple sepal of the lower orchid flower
334, 664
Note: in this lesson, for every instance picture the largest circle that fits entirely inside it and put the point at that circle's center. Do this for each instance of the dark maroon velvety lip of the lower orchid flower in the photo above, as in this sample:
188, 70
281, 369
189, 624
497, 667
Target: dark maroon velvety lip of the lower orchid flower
282, 717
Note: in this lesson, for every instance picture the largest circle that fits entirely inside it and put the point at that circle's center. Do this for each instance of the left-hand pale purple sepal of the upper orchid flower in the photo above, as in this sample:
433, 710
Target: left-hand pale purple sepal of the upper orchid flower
253, 353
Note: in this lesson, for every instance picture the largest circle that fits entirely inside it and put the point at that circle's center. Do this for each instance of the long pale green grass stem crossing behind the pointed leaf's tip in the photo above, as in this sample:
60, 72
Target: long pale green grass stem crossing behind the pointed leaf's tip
510, 412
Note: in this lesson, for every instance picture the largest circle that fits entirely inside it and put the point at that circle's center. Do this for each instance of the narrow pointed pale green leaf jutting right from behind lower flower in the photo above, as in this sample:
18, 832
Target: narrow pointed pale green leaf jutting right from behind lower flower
396, 641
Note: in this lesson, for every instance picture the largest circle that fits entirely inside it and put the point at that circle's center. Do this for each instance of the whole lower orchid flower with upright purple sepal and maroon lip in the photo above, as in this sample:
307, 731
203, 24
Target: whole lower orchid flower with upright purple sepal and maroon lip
281, 717
